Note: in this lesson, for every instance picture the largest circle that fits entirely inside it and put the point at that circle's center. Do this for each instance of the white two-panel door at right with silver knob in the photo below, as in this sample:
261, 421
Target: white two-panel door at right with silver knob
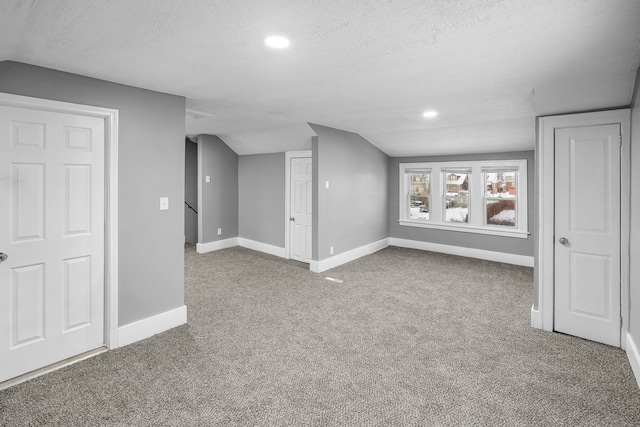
587, 232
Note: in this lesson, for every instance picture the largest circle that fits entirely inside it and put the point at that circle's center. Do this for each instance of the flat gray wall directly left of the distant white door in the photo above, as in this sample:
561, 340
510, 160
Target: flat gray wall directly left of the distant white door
261, 202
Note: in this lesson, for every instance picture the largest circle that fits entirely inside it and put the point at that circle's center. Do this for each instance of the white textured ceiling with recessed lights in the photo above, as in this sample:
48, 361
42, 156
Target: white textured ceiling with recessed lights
368, 66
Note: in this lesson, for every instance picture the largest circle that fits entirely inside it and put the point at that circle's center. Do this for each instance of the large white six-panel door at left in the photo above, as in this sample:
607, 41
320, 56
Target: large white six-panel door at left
52, 229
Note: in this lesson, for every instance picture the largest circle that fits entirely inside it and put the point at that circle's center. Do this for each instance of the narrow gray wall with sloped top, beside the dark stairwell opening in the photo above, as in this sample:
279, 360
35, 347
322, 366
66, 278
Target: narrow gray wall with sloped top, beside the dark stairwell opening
218, 199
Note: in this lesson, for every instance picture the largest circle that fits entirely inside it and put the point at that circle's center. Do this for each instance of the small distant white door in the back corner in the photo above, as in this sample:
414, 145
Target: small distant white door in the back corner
300, 215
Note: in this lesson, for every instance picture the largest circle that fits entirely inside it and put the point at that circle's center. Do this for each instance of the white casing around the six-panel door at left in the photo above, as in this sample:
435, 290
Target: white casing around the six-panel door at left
110, 117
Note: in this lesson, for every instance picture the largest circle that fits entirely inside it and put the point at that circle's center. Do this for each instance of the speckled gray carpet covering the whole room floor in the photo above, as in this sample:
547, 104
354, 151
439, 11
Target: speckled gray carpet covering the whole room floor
408, 338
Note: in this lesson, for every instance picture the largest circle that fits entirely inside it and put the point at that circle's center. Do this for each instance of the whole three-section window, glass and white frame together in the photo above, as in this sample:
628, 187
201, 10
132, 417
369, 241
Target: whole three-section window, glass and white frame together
487, 197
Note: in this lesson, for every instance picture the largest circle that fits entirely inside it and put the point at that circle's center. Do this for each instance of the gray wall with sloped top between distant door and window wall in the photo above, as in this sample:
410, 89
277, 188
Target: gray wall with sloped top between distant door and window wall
353, 211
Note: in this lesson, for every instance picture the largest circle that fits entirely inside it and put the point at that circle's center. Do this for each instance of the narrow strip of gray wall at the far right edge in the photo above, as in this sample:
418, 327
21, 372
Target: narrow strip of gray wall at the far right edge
634, 315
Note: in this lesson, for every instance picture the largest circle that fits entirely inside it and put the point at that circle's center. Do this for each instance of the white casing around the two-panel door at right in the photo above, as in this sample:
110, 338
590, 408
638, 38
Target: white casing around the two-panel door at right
543, 308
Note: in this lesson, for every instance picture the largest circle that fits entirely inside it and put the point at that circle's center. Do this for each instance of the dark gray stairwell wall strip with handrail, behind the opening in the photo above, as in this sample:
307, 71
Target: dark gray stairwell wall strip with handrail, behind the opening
190, 191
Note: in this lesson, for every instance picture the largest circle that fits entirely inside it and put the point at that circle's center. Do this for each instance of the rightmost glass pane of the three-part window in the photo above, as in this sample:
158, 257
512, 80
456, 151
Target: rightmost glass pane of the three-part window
501, 198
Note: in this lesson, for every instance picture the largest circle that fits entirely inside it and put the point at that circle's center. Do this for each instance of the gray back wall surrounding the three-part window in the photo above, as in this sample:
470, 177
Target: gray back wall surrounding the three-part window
468, 240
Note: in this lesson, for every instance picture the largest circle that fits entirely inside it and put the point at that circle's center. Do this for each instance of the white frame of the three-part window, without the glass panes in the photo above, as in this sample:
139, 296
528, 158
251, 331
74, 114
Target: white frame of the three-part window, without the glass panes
476, 222
